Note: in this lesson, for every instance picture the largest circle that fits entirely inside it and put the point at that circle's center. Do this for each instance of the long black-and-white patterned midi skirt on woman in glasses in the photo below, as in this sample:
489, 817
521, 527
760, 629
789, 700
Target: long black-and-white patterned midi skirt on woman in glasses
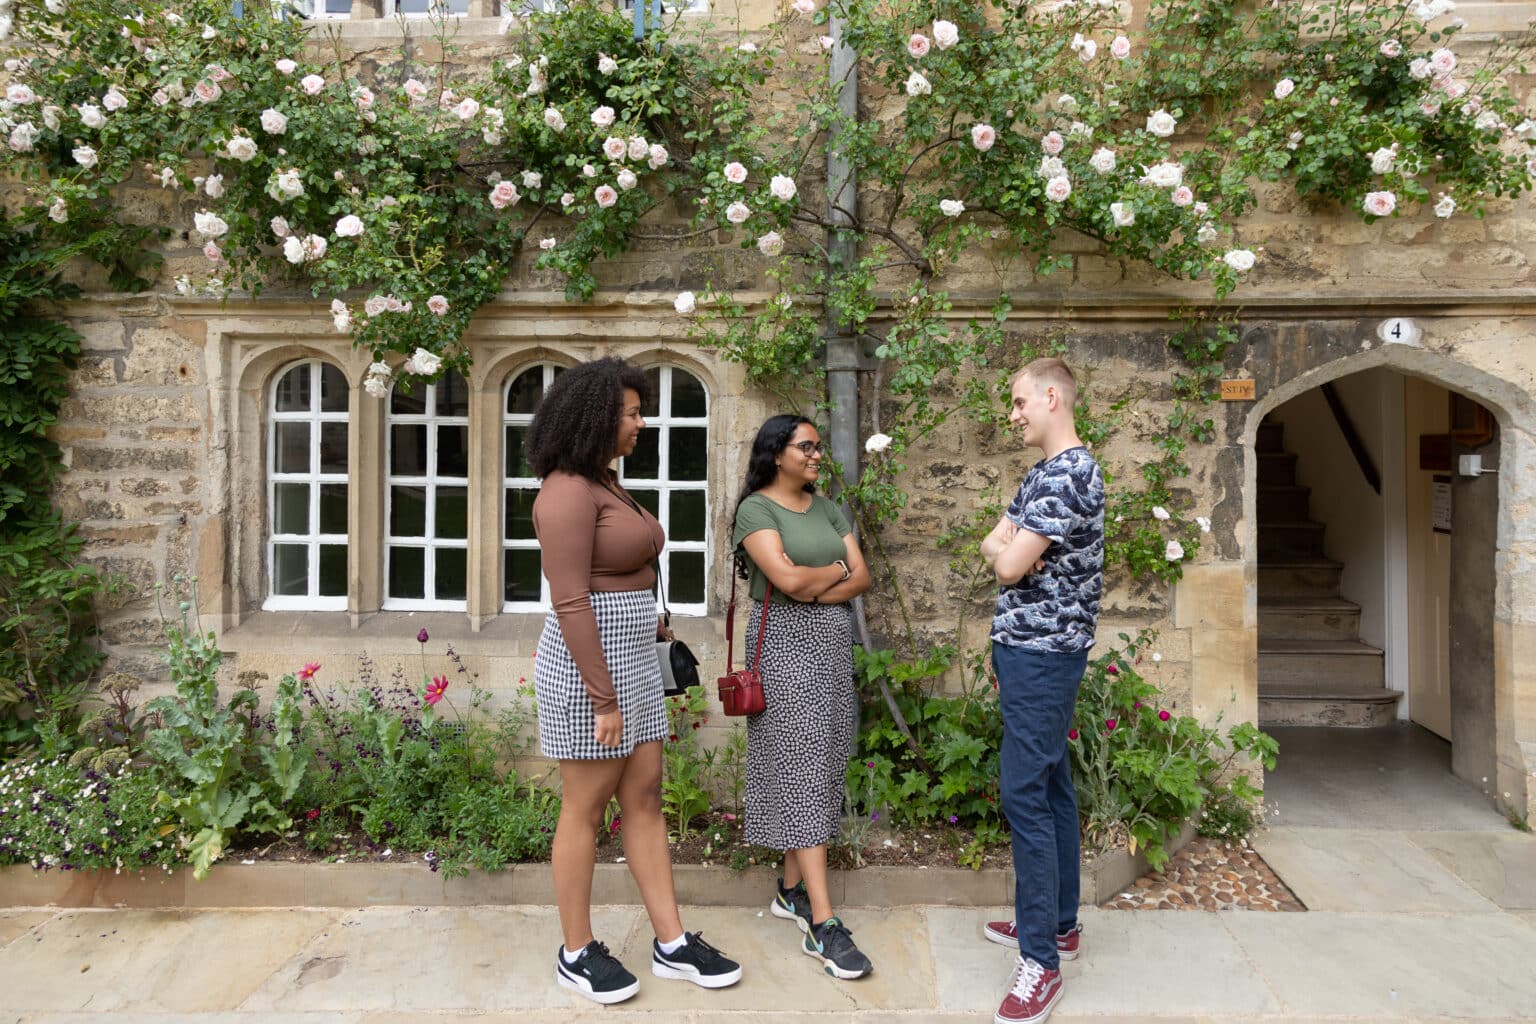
798, 748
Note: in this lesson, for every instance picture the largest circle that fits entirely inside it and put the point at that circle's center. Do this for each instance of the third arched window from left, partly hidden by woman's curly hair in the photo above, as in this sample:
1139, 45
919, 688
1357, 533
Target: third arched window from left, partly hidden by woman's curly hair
523, 583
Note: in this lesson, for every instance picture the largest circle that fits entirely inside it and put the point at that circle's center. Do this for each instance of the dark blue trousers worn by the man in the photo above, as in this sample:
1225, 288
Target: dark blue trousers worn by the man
1038, 693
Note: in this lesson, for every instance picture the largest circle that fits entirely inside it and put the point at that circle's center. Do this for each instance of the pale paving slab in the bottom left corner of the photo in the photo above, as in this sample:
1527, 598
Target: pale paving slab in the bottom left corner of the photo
153, 960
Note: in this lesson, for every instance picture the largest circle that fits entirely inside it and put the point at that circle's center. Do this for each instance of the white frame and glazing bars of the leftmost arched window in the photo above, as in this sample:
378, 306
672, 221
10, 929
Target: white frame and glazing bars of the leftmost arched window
314, 478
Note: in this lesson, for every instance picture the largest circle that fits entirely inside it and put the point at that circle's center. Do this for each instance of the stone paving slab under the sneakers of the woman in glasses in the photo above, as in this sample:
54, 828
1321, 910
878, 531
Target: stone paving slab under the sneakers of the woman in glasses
896, 943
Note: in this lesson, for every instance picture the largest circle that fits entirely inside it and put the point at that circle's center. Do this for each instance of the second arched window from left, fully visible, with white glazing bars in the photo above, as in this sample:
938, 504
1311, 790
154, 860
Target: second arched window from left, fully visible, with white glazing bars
426, 517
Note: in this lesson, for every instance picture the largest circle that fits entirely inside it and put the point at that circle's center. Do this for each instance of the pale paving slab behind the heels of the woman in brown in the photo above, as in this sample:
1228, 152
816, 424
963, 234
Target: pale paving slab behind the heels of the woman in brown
419, 960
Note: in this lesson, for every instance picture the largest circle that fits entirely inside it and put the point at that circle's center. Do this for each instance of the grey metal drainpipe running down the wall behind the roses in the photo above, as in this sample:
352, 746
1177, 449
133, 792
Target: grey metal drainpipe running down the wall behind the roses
842, 345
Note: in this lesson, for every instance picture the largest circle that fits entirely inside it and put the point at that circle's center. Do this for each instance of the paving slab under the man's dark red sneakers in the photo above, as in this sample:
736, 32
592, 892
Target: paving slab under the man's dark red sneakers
1133, 965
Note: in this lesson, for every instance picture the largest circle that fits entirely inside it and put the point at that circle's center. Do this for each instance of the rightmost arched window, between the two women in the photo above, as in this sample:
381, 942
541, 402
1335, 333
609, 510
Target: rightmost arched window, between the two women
669, 474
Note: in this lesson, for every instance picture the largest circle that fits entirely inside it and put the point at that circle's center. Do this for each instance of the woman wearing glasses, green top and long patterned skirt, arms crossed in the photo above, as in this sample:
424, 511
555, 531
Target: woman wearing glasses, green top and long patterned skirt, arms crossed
798, 750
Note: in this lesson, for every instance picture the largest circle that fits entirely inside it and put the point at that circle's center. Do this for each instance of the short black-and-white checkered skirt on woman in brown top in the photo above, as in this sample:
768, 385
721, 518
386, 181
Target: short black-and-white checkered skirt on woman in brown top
627, 626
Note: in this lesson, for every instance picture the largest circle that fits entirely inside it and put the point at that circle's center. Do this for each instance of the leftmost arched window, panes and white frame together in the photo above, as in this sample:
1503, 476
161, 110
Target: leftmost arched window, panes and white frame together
308, 489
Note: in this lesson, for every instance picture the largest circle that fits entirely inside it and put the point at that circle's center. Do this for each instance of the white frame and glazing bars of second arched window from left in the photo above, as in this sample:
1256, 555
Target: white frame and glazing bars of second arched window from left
429, 541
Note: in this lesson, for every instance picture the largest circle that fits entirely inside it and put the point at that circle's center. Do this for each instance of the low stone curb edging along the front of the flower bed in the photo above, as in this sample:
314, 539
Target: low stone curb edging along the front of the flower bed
294, 885
